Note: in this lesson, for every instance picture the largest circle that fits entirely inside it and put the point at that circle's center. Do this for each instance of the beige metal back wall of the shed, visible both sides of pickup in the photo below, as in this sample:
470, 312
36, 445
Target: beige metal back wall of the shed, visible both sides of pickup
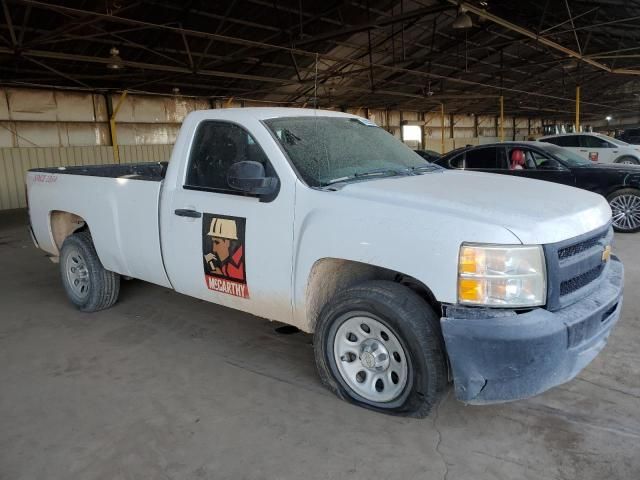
45, 128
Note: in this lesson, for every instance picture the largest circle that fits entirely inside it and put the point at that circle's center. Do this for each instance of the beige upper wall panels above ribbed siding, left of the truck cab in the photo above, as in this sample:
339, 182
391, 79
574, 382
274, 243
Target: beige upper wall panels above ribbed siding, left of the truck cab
47, 118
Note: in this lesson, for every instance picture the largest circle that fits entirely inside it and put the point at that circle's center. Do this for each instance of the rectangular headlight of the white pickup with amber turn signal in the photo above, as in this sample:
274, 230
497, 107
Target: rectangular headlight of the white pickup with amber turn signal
502, 276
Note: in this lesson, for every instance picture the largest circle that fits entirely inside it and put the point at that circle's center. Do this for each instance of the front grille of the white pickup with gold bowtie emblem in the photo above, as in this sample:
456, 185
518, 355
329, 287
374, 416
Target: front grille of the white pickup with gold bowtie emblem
574, 266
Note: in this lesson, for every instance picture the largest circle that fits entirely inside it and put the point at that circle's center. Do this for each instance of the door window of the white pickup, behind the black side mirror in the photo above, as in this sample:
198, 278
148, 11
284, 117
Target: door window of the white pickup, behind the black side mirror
217, 146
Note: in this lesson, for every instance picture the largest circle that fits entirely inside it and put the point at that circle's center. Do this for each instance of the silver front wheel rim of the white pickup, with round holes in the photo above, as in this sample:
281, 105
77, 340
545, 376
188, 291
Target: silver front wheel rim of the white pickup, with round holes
371, 359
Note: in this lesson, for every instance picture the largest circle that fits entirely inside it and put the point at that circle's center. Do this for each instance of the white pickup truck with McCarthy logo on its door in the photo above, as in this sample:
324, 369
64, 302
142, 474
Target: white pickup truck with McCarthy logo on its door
409, 276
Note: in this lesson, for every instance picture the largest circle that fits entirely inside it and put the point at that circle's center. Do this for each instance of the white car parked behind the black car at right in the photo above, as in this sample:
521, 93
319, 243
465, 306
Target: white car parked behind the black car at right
597, 147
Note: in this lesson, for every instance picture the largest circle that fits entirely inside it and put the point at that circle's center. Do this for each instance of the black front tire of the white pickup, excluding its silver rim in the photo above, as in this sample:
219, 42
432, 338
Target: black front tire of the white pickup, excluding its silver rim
415, 325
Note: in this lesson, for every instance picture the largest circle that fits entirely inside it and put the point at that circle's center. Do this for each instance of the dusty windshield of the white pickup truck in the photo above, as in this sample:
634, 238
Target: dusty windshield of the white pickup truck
327, 150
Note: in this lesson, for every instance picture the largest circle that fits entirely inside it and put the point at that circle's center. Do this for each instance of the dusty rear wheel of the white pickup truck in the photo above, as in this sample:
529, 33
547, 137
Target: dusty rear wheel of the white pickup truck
100, 287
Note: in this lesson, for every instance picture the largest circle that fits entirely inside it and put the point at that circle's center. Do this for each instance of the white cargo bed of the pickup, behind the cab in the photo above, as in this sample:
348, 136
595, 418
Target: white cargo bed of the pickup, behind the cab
118, 203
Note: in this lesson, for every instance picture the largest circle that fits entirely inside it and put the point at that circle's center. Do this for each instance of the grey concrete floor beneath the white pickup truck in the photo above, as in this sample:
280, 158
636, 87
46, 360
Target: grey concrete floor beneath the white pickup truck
163, 386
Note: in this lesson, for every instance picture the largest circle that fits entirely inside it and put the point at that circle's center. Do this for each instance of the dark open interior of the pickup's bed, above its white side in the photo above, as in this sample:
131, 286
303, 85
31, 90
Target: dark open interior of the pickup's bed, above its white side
152, 172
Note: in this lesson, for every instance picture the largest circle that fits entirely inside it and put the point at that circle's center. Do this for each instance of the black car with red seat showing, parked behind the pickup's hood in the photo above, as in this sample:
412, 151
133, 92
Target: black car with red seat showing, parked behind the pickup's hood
618, 183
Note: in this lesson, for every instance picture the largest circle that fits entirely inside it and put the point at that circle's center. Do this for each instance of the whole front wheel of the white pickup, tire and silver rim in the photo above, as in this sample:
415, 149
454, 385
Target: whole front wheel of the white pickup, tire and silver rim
379, 345
